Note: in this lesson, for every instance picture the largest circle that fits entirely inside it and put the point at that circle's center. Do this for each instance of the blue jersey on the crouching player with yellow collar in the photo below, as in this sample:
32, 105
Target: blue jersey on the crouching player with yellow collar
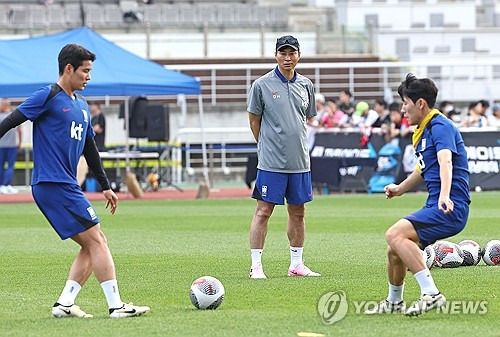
442, 134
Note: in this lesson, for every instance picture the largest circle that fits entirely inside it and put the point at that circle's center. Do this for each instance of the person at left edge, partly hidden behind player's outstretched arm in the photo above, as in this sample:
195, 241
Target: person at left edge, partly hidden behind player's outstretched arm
9, 146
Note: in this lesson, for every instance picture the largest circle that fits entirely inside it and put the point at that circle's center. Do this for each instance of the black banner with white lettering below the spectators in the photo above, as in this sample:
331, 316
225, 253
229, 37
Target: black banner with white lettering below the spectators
337, 156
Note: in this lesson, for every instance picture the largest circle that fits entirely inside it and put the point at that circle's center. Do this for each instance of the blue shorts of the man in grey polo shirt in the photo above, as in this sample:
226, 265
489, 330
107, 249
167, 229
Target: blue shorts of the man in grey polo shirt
274, 187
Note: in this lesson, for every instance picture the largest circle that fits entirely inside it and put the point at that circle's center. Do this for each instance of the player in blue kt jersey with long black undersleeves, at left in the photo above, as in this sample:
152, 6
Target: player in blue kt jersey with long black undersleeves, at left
62, 132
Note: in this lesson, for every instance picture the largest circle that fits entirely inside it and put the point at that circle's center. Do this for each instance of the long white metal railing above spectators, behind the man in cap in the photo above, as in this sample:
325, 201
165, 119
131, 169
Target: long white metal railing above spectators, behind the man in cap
458, 81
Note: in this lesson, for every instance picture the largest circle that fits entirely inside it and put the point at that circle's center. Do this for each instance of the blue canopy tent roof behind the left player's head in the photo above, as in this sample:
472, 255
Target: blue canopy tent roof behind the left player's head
28, 64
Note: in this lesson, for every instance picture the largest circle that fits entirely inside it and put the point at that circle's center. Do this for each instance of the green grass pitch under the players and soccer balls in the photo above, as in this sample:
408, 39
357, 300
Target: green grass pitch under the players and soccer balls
160, 247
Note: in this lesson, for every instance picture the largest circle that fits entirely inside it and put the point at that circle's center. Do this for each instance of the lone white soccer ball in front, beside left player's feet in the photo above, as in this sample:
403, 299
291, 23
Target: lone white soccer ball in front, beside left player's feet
206, 293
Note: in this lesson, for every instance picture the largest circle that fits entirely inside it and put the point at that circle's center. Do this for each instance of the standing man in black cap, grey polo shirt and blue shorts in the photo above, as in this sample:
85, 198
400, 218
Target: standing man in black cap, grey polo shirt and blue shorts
280, 104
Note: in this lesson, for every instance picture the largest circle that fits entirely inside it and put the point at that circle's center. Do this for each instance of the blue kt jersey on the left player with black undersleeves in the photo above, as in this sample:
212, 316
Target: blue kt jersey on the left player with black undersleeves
61, 125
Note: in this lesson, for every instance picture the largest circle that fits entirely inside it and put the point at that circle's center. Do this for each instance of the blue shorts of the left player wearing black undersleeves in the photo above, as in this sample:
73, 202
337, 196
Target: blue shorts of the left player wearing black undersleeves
65, 207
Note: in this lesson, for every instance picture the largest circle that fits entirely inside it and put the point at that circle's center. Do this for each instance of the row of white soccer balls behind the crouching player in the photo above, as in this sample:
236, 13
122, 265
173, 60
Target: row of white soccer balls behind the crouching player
446, 254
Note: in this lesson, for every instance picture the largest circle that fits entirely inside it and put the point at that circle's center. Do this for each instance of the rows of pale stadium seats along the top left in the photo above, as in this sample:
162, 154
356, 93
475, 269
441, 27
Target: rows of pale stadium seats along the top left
161, 14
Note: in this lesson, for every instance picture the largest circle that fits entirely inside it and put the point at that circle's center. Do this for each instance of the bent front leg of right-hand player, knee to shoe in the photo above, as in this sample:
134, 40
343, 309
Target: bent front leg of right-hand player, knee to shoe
403, 238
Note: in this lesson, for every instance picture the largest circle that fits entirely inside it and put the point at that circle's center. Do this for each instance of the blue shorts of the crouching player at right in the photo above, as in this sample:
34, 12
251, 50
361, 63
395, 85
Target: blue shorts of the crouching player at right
432, 225
